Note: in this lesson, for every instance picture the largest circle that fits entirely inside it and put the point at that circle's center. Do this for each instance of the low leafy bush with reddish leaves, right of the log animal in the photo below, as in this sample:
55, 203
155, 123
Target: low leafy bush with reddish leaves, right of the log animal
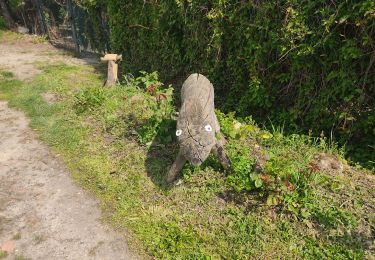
285, 180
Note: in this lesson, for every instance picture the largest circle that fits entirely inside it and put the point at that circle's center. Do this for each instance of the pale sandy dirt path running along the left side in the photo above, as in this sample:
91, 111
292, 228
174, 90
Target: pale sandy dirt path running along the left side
43, 214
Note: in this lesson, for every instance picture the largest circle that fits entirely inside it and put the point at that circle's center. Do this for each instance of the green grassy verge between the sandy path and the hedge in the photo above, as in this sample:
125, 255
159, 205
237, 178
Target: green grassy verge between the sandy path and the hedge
212, 214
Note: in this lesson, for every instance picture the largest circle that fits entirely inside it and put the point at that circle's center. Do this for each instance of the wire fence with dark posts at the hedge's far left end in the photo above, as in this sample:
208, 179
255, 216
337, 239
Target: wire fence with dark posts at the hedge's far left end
70, 26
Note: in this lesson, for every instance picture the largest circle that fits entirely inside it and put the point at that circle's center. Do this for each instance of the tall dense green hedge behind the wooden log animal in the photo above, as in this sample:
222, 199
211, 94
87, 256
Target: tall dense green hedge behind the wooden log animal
306, 64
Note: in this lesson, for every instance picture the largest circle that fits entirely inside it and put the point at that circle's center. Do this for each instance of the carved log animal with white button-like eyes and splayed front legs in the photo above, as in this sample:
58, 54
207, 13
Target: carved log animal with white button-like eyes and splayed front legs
197, 126
